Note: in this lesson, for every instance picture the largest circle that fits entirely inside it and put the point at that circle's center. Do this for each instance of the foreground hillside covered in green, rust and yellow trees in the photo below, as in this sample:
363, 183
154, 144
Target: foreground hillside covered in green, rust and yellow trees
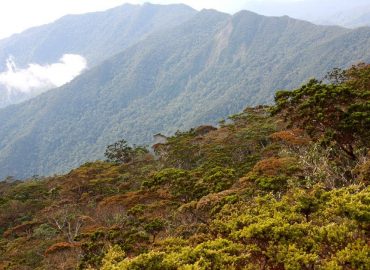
266, 191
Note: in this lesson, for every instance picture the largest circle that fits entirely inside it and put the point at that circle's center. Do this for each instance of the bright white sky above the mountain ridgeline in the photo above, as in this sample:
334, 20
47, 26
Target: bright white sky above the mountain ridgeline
18, 15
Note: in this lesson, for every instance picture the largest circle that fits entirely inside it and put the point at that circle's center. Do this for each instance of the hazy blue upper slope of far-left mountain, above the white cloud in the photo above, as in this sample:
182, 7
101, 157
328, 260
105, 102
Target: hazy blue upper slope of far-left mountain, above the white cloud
96, 36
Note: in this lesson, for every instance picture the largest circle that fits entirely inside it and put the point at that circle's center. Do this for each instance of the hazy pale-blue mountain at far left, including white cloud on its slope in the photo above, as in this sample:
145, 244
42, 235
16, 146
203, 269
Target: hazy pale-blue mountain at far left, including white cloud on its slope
94, 36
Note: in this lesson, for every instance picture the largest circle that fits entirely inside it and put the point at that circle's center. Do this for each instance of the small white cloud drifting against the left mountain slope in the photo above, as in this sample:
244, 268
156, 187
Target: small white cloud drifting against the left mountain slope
38, 78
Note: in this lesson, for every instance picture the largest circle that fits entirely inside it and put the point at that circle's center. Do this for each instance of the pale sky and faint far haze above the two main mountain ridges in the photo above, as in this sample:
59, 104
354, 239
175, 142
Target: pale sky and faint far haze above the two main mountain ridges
38, 12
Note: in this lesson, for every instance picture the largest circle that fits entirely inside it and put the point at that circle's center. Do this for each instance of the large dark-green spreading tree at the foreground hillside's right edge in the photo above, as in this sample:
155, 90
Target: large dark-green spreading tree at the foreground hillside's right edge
336, 114
